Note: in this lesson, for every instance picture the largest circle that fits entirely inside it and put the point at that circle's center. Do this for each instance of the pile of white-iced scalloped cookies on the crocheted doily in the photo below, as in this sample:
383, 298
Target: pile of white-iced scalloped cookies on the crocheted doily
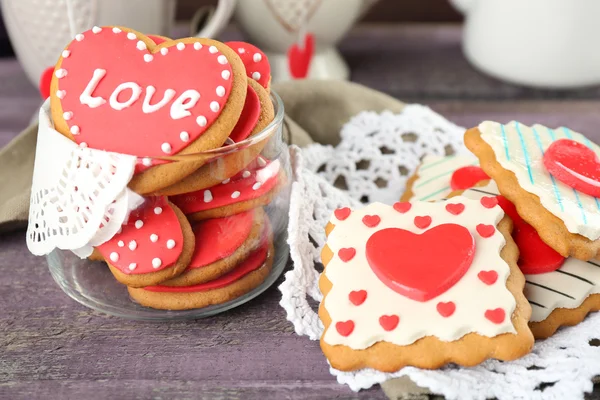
482, 255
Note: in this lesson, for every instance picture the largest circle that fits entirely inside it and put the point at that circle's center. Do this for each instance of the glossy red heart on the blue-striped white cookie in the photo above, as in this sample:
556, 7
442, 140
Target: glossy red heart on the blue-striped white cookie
575, 165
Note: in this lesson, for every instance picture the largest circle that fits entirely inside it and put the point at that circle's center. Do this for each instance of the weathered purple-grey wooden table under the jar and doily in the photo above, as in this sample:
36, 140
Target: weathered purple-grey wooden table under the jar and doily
52, 347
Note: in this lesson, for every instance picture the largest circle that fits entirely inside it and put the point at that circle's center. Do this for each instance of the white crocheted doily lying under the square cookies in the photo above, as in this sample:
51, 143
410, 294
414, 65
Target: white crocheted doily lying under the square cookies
377, 154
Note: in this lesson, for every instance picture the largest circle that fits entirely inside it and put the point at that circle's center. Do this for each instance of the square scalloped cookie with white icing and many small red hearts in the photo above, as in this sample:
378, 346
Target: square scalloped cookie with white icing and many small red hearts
422, 284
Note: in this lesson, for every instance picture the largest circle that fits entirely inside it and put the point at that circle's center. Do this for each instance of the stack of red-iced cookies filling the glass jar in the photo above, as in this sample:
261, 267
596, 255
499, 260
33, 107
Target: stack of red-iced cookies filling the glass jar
202, 236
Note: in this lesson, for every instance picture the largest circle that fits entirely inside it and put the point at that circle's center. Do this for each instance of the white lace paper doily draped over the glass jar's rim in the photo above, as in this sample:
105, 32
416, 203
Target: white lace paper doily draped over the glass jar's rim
79, 196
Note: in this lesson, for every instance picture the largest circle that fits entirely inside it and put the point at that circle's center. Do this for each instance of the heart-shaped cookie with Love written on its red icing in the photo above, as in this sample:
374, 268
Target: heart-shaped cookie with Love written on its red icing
115, 89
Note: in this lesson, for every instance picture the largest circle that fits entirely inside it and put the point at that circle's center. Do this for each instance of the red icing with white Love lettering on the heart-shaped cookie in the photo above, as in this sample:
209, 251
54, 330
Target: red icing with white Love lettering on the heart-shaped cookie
117, 95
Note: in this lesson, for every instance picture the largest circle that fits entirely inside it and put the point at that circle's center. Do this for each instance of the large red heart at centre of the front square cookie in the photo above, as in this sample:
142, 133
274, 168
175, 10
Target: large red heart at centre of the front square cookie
403, 260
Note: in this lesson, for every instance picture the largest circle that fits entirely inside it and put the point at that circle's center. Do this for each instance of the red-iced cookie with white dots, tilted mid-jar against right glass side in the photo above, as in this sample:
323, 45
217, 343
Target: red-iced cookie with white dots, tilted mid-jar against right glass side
253, 187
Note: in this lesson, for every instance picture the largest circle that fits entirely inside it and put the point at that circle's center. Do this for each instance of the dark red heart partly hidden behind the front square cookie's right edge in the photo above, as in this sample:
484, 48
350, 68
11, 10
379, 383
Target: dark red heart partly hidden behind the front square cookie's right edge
535, 256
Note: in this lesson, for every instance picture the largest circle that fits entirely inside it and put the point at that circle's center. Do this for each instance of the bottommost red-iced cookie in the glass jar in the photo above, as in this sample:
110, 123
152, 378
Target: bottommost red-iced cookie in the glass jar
249, 274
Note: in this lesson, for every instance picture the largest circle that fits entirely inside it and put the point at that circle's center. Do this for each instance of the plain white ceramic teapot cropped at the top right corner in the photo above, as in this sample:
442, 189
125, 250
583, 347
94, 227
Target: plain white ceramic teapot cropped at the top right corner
541, 43
